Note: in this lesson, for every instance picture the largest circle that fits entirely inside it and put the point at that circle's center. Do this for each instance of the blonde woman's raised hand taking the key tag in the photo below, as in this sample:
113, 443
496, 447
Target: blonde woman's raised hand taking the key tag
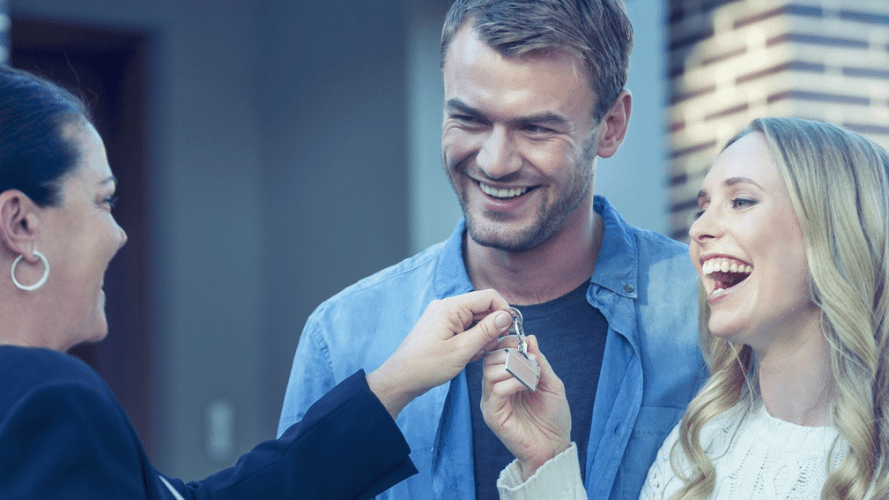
534, 426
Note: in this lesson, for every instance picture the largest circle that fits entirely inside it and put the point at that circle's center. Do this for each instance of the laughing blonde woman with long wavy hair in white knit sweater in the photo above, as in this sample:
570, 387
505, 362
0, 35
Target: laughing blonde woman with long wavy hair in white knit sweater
791, 246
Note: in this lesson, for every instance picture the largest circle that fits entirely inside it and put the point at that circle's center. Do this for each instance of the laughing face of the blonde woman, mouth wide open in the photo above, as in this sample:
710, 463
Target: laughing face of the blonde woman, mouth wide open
747, 246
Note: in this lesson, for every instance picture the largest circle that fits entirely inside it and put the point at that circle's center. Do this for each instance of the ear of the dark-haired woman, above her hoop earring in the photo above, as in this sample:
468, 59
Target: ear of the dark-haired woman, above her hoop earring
19, 222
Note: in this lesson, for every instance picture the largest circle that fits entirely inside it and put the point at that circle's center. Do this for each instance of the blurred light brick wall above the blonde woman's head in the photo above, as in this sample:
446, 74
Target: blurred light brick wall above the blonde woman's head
734, 60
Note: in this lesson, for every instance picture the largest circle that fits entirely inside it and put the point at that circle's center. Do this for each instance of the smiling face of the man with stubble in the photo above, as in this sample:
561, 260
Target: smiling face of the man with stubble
518, 142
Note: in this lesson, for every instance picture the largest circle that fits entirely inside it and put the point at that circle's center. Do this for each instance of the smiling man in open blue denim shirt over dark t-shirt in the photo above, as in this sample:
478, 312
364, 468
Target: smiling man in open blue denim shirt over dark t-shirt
534, 94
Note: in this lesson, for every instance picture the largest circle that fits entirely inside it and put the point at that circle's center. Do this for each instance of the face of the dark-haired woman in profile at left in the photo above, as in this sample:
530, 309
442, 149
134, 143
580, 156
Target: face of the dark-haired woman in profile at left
81, 238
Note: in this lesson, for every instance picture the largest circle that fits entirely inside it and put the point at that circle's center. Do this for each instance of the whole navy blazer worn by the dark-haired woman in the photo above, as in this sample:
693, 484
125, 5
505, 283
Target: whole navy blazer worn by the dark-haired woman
64, 435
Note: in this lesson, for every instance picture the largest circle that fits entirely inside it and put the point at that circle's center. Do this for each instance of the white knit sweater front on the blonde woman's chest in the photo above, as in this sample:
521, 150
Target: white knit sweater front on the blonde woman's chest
757, 457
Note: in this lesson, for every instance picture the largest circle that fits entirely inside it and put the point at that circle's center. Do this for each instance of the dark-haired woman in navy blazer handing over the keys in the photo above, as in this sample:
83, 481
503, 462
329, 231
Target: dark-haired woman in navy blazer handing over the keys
63, 434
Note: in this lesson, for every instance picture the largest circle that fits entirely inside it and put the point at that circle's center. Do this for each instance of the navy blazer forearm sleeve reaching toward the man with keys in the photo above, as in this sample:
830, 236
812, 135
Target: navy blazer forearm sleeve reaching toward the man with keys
346, 447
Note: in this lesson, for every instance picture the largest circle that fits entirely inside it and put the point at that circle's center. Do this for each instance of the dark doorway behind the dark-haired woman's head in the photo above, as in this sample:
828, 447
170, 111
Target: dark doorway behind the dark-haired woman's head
108, 67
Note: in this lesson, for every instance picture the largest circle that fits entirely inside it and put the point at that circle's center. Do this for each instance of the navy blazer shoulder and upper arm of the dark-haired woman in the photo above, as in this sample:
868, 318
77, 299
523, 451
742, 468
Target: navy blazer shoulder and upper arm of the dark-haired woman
58, 401
